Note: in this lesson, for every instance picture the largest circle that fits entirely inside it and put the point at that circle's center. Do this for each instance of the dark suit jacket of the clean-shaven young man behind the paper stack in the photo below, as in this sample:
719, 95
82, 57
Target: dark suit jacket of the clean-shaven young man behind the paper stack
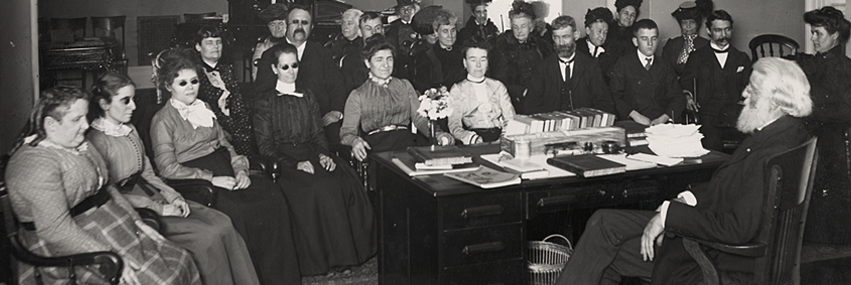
652, 93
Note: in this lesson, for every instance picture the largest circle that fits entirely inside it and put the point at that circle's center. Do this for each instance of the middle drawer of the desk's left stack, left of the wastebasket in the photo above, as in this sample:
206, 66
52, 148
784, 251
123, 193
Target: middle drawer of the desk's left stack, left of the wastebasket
481, 245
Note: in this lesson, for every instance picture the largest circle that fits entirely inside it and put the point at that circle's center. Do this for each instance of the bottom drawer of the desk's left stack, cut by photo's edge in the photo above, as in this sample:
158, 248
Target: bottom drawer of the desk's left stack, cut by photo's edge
508, 272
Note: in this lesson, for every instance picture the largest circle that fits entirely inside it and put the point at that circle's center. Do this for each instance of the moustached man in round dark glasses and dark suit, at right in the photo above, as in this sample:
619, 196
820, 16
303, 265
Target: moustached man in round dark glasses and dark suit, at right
720, 72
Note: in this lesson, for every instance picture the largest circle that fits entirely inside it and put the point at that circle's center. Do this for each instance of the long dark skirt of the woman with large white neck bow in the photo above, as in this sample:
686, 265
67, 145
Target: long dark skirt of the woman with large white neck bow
261, 215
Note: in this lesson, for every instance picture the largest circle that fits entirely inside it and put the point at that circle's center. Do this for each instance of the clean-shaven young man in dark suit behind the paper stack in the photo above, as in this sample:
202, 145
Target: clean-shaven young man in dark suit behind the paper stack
645, 88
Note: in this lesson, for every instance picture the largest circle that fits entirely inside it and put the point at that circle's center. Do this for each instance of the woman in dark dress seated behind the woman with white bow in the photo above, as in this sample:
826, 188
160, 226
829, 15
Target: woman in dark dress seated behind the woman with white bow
220, 90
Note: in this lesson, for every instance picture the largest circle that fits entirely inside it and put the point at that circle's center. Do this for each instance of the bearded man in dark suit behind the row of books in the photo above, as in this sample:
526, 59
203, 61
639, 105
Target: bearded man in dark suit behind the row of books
567, 80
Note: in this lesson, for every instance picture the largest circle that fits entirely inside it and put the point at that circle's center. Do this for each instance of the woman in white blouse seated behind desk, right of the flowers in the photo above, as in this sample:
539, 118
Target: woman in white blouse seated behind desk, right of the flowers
481, 107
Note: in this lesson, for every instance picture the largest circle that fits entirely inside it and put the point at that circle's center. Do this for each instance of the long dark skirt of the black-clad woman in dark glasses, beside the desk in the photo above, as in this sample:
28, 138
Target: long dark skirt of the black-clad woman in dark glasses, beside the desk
333, 220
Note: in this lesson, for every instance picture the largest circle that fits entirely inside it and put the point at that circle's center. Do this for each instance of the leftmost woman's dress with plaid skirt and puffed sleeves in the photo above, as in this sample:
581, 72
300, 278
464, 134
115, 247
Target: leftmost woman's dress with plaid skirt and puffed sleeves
45, 181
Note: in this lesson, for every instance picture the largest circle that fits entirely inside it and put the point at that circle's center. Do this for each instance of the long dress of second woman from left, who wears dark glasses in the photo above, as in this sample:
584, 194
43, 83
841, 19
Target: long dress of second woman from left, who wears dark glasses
218, 250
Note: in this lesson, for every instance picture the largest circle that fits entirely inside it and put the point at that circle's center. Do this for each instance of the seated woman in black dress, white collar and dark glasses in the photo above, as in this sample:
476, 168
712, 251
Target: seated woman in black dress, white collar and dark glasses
333, 221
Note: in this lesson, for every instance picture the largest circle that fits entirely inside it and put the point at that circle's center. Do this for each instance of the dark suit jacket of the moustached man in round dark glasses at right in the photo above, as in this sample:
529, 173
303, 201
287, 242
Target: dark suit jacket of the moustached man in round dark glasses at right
704, 67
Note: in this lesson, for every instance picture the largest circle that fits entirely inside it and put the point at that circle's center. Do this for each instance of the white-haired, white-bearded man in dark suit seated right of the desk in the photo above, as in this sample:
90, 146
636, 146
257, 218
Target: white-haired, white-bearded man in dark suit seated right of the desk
728, 209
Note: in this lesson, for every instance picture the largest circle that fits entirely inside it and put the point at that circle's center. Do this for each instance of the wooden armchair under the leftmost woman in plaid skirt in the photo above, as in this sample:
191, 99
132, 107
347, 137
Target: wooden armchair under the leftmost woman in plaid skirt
109, 264
